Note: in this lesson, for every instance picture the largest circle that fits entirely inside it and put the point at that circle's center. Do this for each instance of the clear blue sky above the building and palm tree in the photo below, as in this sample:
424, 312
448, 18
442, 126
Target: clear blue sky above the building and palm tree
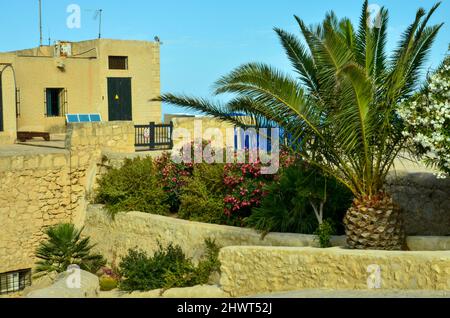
202, 39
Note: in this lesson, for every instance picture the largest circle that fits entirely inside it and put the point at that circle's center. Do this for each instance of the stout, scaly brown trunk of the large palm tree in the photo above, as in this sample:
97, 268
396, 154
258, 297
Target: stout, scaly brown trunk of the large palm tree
375, 223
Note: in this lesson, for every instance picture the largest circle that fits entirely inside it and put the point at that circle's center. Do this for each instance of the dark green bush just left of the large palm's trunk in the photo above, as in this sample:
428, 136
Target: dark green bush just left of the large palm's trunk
287, 205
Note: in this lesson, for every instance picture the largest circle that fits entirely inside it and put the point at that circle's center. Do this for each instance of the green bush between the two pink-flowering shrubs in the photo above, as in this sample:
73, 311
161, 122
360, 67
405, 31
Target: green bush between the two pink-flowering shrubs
202, 195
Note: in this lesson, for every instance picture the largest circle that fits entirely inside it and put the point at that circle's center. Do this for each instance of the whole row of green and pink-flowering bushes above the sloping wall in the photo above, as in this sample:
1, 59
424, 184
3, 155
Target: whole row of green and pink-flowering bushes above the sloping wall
233, 194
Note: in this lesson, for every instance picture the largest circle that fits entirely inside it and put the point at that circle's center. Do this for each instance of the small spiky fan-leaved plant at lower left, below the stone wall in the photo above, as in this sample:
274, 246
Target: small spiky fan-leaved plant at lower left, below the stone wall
65, 247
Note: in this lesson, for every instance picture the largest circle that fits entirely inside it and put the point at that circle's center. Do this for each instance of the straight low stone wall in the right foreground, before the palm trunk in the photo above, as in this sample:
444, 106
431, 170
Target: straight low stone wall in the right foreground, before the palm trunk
256, 270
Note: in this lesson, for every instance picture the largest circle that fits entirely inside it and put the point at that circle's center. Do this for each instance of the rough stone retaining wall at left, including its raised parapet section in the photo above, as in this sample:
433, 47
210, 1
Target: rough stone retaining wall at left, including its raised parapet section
41, 190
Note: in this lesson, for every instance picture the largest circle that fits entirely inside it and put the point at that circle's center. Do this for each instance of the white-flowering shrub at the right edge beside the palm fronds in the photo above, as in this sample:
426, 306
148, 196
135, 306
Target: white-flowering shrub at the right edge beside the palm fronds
427, 121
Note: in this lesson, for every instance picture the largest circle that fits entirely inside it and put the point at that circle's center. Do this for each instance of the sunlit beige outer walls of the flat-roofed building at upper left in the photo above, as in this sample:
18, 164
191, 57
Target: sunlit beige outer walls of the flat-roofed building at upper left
85, 78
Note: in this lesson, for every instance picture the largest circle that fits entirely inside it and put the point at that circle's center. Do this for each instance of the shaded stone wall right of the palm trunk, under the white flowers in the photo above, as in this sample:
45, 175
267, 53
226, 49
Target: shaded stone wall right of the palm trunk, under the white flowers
424, 200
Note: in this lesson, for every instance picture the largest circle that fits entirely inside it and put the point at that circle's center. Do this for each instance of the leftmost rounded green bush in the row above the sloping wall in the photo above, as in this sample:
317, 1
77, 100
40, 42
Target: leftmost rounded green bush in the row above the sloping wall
133, 187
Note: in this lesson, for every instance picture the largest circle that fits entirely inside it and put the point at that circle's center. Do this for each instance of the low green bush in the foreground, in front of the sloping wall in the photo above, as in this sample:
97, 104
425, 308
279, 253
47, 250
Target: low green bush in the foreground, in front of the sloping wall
167, 268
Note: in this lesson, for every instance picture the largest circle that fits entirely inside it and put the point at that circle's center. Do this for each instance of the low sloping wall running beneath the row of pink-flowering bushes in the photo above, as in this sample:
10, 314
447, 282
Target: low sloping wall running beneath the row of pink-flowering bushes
144, 231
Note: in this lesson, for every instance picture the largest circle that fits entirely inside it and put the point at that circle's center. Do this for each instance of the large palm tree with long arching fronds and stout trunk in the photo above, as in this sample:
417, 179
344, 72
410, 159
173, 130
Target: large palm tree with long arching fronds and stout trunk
341, 107
